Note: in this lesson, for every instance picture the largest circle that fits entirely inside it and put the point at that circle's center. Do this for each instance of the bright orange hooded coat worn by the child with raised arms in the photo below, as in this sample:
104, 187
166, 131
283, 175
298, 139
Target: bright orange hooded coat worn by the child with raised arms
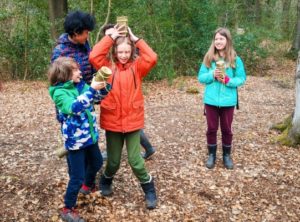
122, 110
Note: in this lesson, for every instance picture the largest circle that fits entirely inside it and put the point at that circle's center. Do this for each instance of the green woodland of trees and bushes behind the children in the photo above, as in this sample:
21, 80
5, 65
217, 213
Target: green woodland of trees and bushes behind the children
180, 31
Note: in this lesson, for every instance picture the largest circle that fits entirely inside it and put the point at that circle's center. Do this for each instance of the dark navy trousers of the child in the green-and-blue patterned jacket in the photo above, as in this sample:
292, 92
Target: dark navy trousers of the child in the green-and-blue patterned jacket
83, 166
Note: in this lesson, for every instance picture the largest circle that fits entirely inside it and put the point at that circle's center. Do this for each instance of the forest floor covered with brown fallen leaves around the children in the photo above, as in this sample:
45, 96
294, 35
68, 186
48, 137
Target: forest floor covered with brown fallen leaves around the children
263, 186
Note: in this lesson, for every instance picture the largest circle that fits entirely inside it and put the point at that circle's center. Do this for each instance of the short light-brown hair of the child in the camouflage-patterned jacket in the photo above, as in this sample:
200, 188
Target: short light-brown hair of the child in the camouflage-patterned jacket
61, 70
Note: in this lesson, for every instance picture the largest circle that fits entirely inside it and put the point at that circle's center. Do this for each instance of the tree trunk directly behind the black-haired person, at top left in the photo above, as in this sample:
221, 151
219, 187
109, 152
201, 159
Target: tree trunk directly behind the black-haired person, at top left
57, 11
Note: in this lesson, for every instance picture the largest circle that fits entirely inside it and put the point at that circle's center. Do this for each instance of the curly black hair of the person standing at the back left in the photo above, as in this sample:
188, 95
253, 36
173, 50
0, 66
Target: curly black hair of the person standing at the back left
78, 21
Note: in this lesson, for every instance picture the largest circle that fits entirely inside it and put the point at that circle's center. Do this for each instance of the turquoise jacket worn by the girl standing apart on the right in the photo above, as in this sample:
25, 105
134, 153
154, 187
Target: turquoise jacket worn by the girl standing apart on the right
219, 94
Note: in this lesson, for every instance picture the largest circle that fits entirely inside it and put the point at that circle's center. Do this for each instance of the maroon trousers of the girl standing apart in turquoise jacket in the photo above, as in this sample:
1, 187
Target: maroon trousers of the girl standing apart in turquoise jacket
214, 116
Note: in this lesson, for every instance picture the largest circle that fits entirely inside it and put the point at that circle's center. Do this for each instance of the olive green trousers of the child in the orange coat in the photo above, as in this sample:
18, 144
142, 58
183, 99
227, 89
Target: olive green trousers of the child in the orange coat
115, 142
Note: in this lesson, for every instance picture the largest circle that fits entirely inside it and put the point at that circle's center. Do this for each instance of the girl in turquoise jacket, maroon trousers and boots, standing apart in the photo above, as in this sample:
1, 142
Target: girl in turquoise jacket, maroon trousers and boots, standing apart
222, 72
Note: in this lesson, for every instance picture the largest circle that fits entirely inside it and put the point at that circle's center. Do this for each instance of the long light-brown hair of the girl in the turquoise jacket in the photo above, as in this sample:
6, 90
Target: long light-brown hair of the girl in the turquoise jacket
212, 53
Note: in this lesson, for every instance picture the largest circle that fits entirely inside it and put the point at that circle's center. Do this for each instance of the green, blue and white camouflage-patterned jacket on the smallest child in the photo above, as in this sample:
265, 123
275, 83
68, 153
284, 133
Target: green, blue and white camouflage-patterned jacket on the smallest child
75, 106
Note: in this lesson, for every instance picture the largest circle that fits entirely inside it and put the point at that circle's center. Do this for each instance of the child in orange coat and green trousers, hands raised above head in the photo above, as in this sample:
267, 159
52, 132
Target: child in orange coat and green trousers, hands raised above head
122, 111
